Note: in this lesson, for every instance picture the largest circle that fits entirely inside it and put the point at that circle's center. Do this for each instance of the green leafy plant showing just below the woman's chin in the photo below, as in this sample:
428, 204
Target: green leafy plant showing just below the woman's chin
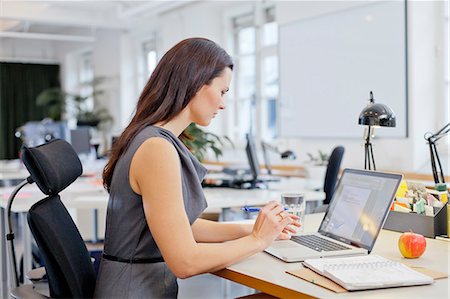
199, 142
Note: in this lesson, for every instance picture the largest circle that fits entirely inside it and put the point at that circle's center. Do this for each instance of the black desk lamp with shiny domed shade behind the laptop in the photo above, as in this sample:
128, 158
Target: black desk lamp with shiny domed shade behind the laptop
374, 115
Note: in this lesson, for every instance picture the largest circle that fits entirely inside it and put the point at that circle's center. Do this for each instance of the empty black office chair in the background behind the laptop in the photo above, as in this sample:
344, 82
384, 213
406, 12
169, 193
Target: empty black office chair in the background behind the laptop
331, 175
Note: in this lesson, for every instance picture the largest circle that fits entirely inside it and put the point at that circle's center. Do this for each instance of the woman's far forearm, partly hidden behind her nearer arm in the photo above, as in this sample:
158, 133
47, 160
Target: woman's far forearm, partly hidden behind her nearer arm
211, 231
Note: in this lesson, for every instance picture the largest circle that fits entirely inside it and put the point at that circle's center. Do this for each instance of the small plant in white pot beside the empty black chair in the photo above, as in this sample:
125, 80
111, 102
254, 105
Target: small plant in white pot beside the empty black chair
315, 169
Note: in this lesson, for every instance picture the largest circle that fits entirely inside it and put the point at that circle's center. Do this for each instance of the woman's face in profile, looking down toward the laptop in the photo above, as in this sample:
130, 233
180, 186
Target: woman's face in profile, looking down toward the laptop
210, 99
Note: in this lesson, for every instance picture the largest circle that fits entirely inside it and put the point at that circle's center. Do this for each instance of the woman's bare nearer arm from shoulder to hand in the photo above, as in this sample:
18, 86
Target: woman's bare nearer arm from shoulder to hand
155, 173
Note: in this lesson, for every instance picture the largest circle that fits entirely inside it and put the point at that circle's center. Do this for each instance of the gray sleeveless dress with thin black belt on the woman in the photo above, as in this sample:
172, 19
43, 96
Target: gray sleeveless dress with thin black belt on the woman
127, 234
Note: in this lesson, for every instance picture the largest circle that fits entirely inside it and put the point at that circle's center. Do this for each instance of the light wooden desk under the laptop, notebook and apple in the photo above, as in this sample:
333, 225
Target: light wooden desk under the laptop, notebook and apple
267, 274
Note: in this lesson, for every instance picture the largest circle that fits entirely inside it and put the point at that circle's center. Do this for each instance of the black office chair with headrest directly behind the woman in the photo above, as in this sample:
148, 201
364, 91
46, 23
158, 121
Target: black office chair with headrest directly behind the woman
70, 272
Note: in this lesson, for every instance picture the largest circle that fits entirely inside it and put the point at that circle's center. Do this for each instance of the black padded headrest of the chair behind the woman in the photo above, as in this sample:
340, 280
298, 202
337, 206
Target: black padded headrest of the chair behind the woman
53, 166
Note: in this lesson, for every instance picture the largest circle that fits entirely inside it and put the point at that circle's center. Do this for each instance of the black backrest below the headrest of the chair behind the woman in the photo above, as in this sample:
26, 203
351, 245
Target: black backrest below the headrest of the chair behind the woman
67, 262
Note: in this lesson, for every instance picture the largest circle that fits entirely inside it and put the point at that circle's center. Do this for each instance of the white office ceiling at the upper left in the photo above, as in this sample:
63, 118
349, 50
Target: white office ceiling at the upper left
42, 19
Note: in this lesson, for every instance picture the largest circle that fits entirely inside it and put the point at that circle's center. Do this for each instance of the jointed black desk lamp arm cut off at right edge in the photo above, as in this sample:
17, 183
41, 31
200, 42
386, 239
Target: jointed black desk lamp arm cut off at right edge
432, 138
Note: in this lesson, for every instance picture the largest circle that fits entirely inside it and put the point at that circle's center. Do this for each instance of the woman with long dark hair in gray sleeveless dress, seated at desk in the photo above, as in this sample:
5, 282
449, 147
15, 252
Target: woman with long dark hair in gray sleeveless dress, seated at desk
153, 233
